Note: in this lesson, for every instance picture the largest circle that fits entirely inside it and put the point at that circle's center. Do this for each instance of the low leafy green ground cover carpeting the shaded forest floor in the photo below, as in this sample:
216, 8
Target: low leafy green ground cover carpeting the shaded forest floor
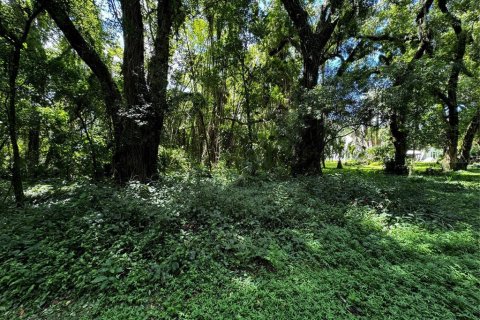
354, 243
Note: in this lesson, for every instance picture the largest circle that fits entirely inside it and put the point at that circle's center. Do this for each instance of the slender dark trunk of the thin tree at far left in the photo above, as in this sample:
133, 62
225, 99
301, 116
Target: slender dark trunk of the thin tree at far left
12, 125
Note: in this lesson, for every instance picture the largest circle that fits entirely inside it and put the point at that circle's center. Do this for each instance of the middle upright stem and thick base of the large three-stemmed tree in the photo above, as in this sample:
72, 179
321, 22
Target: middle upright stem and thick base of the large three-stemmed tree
137, 133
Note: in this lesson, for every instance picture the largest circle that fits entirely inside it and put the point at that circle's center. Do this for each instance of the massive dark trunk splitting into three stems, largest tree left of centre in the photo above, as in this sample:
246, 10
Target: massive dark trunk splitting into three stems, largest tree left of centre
137, 119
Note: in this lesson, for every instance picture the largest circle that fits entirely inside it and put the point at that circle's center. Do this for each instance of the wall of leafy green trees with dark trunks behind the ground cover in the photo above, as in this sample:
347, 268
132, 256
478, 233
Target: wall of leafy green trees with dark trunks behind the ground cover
129, 89
